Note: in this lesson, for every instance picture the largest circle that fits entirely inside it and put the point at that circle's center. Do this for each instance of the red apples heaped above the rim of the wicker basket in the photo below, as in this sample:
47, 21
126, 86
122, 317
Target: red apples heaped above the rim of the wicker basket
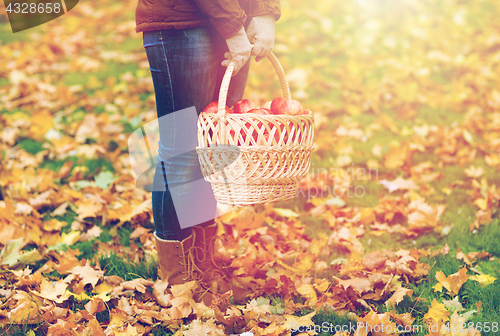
279, 105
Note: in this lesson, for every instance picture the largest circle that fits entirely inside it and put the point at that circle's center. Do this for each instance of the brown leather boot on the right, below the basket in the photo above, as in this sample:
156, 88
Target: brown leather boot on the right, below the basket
214, 277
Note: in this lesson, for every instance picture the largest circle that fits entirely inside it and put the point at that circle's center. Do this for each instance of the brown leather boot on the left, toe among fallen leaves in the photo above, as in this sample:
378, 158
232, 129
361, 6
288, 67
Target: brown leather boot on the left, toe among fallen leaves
176, 265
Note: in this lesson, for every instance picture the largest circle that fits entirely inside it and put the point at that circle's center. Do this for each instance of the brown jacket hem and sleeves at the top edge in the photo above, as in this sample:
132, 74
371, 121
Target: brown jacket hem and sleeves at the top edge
227, 16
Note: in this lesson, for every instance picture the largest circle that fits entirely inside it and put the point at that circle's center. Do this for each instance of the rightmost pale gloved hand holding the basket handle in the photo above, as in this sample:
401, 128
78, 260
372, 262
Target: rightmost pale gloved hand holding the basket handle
260, 32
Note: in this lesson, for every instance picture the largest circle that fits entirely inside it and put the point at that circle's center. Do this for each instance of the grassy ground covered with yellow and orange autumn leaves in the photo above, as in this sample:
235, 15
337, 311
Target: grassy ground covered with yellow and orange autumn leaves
396, 224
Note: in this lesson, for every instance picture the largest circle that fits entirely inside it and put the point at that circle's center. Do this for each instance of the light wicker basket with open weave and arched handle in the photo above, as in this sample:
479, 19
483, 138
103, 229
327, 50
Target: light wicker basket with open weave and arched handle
250, 158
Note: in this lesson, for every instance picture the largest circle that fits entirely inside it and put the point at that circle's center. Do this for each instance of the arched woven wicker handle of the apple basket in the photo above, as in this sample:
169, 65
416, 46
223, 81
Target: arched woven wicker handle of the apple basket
224, 88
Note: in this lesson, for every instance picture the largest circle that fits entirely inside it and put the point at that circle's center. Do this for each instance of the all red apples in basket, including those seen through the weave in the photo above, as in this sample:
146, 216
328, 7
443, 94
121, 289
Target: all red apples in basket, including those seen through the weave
279, 105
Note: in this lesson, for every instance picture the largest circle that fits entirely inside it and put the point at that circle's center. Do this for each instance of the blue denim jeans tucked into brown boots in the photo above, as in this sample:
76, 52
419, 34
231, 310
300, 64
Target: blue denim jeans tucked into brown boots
186, 71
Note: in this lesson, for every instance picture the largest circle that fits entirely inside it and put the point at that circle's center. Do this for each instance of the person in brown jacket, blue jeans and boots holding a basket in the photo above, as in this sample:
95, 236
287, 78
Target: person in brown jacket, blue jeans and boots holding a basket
189, 43
